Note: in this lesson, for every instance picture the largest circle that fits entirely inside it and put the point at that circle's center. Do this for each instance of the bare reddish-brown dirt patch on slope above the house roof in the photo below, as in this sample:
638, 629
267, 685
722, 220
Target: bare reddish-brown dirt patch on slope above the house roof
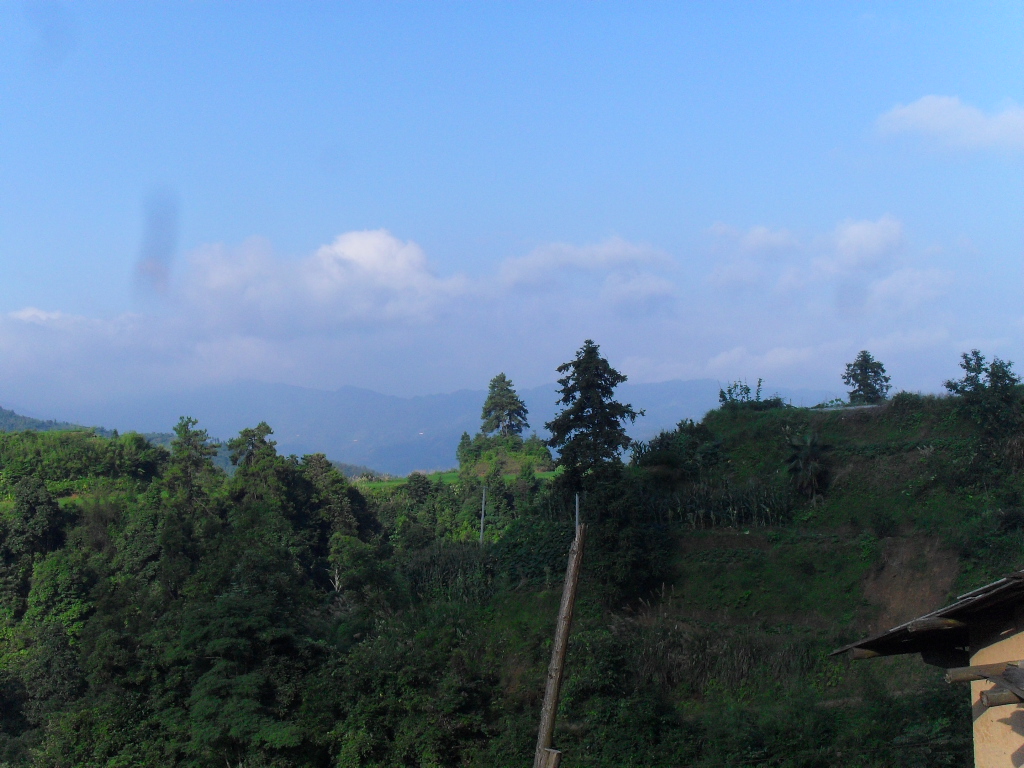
915, 577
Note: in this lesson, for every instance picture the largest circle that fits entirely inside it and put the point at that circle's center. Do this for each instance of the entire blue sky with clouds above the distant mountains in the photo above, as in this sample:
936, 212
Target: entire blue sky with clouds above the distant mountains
412, 197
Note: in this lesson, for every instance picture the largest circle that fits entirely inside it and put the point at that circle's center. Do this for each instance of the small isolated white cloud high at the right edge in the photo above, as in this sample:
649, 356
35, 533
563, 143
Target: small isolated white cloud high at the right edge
952, 123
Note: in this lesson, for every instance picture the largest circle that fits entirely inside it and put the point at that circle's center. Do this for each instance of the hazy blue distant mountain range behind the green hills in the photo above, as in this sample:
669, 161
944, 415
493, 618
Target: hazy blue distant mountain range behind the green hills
357, 426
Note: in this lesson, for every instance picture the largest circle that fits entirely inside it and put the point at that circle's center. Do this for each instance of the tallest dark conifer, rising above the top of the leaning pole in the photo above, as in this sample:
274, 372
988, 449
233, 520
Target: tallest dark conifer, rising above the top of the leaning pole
590, 430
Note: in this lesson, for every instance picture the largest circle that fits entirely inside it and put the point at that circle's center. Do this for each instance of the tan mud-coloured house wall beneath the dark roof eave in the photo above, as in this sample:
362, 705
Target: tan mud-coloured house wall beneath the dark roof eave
999, 733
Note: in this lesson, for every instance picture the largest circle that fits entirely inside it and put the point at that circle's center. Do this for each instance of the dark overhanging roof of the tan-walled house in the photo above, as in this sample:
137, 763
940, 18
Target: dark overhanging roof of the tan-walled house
943, 637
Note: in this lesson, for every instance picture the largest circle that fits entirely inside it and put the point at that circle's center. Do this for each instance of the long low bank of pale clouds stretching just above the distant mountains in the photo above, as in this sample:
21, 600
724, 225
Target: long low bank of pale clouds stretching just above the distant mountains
372, 310
